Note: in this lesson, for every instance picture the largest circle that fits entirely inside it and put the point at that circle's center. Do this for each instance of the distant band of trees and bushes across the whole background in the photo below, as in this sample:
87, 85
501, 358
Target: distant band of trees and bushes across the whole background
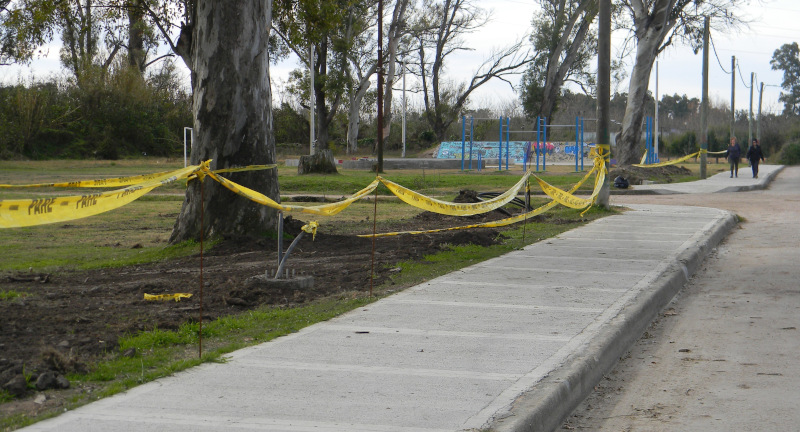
120, 113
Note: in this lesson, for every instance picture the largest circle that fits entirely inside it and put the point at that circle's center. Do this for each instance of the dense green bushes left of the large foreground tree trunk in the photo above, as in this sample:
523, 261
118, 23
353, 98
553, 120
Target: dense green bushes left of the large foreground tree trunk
106, 115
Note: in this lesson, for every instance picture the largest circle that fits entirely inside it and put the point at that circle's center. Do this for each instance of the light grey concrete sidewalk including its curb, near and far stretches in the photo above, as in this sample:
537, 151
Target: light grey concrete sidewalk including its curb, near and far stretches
510, 344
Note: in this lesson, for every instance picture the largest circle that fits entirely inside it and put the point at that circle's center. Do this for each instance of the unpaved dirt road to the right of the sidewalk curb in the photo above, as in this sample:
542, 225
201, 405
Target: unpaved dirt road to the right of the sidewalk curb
723, 355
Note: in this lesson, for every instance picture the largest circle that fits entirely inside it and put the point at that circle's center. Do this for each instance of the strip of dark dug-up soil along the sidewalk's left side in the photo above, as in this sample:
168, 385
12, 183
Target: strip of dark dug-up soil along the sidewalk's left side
70, 319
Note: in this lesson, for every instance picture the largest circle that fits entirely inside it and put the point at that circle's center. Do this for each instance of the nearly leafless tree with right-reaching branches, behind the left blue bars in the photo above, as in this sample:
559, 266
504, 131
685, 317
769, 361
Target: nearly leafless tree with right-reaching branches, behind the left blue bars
437, 33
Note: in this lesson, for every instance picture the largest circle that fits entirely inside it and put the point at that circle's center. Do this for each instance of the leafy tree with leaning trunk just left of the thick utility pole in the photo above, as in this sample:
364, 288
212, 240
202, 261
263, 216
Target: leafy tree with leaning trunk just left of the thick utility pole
563, 38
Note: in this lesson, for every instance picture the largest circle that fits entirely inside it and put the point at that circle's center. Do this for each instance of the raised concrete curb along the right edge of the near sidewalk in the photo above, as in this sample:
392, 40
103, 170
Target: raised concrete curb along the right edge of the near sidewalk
546, 405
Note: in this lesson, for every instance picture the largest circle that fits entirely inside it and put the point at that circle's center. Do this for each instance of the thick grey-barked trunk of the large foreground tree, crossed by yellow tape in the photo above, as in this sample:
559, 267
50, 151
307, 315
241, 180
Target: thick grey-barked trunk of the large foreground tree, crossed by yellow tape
232, 119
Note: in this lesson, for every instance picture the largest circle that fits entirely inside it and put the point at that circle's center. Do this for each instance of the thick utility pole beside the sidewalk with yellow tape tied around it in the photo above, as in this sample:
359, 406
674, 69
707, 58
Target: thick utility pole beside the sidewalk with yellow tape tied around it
604, 92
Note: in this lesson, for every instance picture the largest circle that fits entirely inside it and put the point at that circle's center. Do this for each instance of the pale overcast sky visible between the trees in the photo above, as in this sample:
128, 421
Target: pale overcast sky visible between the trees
773, 23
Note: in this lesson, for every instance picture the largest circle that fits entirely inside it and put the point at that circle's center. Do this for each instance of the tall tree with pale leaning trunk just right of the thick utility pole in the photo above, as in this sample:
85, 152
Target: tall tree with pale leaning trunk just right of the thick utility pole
657, 24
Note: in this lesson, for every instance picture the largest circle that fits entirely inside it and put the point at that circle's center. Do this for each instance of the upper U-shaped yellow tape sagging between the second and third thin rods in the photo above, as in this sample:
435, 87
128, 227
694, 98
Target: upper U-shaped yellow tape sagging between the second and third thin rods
453, 209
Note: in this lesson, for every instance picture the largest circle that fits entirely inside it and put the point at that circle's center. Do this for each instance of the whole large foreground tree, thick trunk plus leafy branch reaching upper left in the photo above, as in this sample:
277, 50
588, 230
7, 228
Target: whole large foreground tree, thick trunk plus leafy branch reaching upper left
226, 47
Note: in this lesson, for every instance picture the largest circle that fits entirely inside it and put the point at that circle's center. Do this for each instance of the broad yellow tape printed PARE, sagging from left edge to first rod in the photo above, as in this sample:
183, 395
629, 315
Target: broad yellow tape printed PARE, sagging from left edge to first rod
29, 212
